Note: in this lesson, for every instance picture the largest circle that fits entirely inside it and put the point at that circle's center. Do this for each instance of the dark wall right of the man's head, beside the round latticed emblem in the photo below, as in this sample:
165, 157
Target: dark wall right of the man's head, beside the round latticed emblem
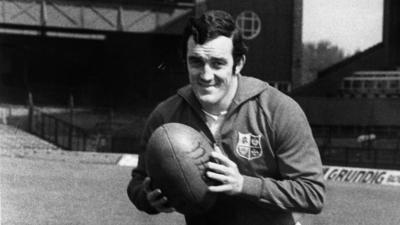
270, 55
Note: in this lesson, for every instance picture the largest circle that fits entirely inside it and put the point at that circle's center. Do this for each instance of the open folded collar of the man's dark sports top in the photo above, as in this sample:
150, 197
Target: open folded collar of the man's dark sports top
248, 87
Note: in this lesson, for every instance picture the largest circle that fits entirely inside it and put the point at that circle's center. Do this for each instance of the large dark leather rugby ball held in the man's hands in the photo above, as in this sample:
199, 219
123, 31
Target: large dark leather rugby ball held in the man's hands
176, 156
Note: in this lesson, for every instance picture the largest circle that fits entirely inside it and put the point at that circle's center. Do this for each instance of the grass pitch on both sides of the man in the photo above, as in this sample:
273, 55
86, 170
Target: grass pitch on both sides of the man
40, 191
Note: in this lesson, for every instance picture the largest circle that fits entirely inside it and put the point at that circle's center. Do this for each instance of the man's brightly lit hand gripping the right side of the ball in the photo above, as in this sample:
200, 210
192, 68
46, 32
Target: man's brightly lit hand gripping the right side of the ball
225, 172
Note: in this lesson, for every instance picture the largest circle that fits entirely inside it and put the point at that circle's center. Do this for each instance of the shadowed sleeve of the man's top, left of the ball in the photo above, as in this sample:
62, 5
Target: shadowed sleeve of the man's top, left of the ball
135, 187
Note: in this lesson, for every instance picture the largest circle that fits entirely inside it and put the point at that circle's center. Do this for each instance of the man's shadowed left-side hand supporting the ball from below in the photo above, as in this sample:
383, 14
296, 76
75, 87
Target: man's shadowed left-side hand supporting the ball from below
156, 198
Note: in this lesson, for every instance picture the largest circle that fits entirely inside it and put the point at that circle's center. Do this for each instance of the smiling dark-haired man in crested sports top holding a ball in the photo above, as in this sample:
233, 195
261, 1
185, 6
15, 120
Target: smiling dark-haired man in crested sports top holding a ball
269, 167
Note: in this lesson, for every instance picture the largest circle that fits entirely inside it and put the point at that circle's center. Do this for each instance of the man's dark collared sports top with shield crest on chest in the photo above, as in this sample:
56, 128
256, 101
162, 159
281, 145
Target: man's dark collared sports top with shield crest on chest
267, 135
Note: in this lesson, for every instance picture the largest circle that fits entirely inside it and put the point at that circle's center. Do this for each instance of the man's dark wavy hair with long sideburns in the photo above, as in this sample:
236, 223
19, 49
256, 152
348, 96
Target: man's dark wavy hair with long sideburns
210, 25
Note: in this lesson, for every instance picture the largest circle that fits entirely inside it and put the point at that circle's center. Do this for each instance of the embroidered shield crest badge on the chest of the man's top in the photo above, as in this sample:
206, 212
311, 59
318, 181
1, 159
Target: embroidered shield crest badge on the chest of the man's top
249, 146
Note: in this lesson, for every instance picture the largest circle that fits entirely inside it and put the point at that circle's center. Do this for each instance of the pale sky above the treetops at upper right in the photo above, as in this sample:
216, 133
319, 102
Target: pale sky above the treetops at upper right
350, 24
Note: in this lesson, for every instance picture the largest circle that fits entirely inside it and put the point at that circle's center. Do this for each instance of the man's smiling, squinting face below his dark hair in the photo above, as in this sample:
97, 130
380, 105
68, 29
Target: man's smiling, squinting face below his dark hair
210, 68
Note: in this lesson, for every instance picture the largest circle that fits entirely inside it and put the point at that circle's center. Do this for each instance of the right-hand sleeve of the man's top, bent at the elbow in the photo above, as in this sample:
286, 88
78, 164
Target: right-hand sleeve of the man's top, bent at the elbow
299, 186
